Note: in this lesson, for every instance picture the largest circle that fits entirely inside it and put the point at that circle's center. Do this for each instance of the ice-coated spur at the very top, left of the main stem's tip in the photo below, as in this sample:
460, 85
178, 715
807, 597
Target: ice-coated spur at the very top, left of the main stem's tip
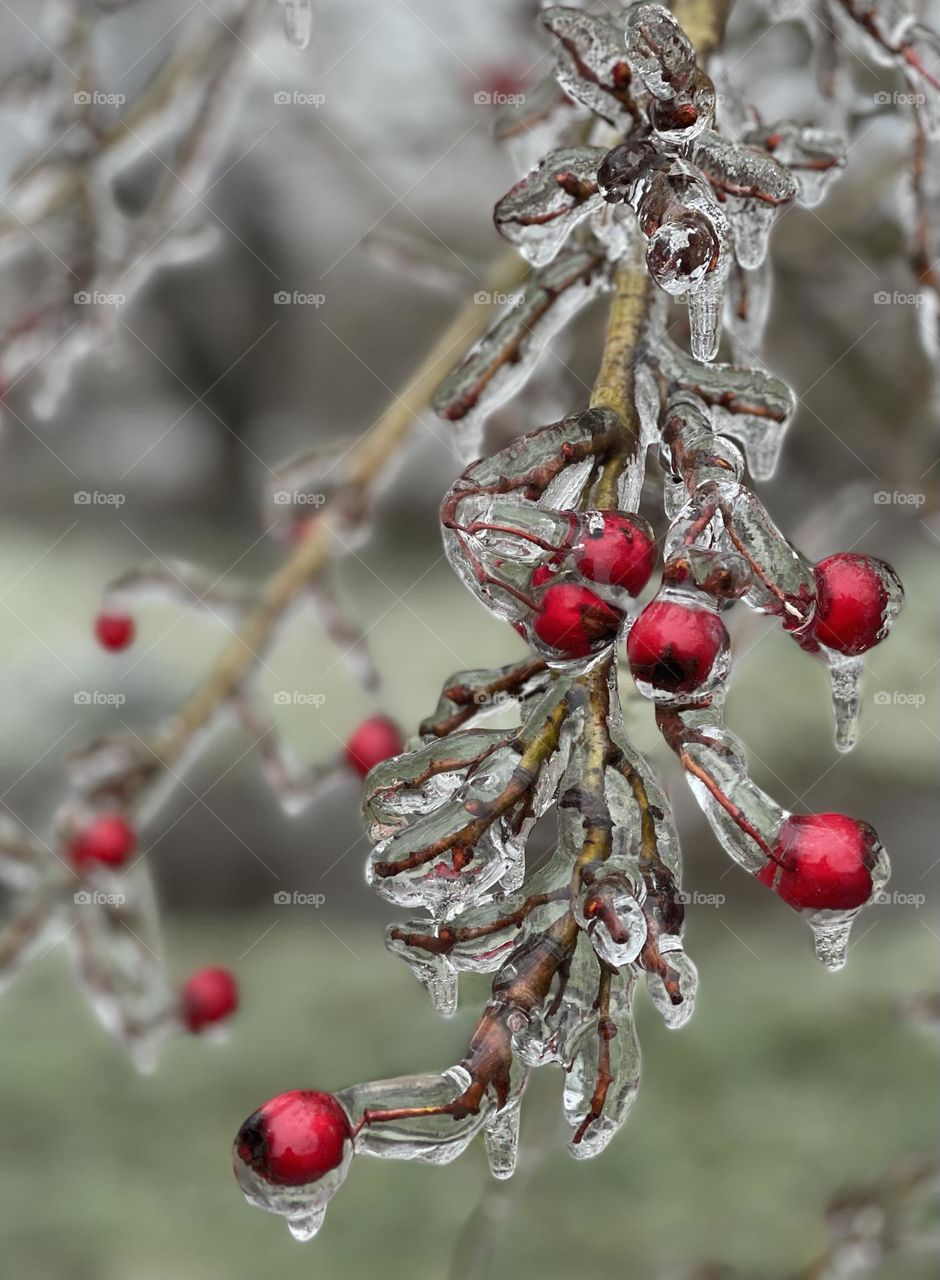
592, 66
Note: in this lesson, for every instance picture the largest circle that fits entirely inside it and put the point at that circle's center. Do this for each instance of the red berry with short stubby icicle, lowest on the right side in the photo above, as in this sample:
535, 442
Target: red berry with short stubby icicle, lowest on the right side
823, 862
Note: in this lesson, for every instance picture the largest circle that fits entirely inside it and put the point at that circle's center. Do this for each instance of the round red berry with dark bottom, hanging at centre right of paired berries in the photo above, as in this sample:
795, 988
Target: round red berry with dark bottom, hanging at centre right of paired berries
674, 647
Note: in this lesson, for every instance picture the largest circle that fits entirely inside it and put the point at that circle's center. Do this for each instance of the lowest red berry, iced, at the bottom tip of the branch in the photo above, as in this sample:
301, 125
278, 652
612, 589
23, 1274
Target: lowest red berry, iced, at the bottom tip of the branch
295, 1139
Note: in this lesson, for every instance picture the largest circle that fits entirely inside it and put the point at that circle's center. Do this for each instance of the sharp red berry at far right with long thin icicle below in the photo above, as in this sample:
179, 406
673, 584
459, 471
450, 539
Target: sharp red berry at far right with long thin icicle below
856, 604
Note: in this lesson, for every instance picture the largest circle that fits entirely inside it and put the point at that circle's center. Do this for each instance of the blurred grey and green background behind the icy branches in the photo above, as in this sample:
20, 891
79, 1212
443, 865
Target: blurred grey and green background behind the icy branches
790, 1082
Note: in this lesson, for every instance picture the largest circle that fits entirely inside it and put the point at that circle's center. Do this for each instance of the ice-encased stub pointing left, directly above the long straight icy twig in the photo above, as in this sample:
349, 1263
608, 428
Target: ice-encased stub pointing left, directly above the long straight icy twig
541, 212
